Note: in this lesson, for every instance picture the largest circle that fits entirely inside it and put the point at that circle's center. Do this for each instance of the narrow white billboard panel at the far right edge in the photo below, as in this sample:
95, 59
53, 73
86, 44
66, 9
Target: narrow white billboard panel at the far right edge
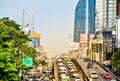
118, 33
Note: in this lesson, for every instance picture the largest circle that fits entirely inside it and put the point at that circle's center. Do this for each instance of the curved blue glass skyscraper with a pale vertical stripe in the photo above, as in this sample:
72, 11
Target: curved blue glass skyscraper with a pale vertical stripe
84, 18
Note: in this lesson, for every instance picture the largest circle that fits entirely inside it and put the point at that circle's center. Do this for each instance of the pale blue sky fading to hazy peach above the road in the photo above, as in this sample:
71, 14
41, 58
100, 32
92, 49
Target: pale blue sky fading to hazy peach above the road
53, 19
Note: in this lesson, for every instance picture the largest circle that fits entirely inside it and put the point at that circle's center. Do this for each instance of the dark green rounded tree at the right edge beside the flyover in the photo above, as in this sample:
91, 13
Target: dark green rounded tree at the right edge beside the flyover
115, 59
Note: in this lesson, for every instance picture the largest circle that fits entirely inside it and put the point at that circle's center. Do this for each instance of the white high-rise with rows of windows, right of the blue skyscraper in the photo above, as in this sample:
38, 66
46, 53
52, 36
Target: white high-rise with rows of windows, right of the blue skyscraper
105, 13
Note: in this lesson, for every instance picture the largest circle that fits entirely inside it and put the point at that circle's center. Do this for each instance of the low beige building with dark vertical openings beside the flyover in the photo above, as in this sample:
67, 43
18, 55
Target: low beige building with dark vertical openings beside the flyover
96, 49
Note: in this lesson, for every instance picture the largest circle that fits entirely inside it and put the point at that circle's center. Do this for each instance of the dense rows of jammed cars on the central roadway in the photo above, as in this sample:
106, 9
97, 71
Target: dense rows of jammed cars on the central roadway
67, 70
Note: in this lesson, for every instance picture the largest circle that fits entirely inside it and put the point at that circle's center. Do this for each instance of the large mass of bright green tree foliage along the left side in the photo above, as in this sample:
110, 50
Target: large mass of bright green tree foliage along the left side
13, 47
